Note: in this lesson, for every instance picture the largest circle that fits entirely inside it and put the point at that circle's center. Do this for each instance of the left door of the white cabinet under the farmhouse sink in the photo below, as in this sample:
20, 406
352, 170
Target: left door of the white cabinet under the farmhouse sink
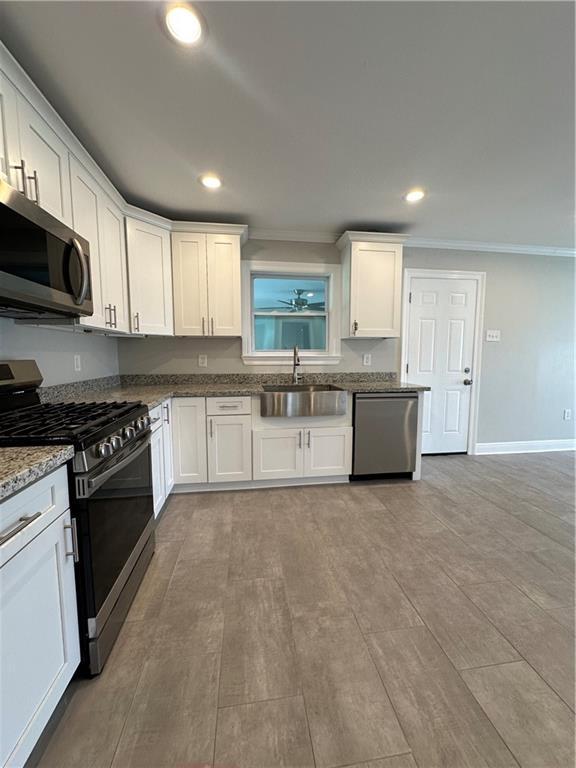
278, 453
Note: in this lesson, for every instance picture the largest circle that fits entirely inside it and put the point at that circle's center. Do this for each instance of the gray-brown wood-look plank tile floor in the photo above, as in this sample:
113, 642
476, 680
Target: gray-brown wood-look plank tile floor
390, 625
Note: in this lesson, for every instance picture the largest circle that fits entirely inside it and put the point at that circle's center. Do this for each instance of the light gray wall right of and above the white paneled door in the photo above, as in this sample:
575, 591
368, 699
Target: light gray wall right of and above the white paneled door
527, 377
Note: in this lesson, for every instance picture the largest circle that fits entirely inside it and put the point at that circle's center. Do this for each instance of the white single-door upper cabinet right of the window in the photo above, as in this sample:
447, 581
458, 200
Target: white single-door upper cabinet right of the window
372, 284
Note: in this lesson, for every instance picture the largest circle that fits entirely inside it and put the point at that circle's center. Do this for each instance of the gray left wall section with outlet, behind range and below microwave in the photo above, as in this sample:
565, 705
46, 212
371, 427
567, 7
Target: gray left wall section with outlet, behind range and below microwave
54, 351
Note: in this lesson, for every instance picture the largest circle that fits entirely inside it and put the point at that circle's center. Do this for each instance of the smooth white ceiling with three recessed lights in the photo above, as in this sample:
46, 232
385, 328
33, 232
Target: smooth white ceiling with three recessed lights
318, 116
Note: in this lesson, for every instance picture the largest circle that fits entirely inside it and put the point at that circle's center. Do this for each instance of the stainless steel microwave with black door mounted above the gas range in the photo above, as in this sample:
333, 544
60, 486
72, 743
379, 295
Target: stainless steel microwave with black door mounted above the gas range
44, 265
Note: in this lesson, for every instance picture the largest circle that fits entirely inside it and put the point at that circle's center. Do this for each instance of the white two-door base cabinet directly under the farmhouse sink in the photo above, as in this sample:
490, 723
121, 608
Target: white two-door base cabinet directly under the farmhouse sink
293, 453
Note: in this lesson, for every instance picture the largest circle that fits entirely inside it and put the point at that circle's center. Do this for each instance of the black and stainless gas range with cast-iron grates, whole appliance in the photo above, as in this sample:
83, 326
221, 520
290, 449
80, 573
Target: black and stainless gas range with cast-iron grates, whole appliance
110, 488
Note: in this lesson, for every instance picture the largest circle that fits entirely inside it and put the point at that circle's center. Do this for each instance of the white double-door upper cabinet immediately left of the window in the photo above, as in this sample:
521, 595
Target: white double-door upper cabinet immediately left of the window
207, 287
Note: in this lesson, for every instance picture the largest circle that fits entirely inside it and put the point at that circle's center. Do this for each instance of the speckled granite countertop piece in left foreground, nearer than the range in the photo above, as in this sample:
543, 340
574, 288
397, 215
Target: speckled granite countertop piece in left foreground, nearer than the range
20, 467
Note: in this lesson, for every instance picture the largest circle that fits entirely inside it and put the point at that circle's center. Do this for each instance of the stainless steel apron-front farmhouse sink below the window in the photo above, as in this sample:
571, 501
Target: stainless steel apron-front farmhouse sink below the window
303, 400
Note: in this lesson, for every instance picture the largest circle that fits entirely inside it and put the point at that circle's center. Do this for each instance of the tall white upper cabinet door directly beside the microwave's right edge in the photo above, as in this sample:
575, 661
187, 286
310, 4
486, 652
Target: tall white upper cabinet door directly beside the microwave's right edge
85, 220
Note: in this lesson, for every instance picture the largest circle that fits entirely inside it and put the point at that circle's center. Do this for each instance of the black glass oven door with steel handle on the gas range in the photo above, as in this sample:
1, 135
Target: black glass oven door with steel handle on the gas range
114, 514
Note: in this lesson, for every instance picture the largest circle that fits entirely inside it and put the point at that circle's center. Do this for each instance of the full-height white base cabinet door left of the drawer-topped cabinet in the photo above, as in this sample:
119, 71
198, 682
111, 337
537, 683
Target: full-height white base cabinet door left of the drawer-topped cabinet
189, 434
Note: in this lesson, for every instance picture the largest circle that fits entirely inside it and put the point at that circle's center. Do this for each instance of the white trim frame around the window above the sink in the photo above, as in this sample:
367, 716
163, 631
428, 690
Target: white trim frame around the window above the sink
332, 356
